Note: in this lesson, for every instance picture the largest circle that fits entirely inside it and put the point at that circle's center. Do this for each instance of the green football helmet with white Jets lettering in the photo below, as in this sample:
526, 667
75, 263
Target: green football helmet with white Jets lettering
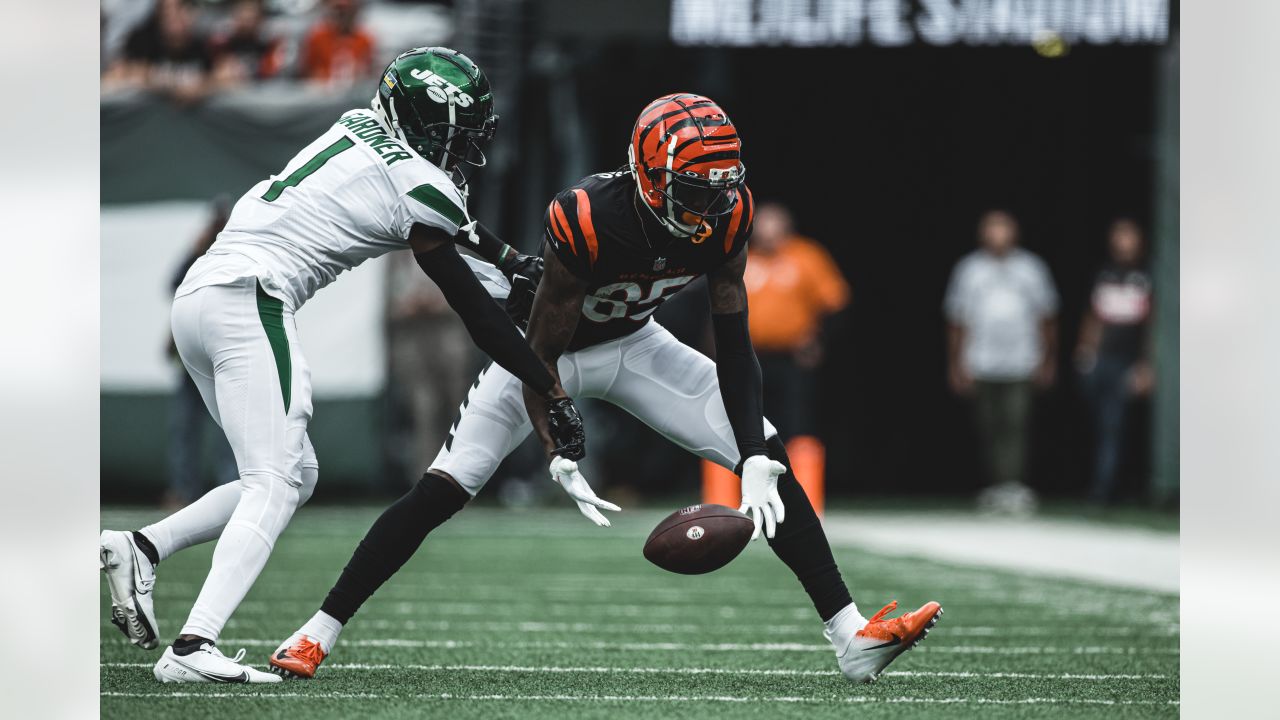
440, 103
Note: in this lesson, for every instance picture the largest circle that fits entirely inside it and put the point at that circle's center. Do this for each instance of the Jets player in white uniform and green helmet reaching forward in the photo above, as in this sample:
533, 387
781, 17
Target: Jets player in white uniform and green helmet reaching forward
380, 180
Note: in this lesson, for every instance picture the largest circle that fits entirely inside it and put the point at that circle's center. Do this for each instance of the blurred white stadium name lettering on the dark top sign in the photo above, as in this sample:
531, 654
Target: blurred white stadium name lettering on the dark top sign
892, 24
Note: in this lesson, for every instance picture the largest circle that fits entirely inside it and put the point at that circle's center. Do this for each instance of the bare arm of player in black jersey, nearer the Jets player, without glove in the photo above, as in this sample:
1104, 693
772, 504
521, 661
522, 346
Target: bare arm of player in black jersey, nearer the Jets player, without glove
555, 317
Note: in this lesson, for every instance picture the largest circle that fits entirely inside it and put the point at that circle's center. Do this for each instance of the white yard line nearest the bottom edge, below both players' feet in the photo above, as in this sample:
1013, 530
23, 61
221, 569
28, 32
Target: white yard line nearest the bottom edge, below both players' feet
650, 699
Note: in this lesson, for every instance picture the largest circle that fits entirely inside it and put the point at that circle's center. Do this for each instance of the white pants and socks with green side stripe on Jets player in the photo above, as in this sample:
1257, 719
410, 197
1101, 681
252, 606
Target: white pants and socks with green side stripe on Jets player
241, 348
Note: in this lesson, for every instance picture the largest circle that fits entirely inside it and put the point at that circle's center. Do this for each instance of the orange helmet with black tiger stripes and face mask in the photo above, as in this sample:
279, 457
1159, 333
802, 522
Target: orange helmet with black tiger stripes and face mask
685, 157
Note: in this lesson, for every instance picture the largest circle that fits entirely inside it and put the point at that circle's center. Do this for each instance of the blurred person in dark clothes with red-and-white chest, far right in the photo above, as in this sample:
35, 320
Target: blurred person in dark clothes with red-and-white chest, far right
1113, 352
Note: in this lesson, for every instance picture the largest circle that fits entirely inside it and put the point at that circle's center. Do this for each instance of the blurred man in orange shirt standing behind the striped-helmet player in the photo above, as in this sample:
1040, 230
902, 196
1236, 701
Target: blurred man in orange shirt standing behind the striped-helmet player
794, 290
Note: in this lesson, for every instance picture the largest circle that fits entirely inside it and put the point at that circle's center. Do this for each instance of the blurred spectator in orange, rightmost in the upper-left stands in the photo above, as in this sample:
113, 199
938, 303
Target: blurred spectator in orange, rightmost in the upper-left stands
337, 51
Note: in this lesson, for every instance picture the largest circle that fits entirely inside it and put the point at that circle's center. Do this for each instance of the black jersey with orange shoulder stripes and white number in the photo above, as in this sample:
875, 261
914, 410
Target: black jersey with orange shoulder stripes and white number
604, 235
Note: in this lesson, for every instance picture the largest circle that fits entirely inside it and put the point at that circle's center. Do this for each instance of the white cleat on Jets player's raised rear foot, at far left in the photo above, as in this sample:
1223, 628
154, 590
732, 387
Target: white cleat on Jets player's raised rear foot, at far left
131, 577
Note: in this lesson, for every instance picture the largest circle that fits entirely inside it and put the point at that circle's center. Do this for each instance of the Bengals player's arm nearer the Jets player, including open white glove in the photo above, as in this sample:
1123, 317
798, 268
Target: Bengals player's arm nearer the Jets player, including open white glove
557, 308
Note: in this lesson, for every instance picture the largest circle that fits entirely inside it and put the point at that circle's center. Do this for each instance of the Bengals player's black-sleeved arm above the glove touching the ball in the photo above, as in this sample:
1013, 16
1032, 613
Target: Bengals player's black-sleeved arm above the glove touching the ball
737, 366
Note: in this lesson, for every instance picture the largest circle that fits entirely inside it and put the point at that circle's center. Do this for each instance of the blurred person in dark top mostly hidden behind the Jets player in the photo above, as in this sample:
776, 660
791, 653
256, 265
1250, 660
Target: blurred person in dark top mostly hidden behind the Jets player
190, 421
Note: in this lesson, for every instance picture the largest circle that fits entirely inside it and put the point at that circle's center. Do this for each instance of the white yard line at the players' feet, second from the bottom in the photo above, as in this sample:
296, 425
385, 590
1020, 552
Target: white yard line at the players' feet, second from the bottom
627, 671
